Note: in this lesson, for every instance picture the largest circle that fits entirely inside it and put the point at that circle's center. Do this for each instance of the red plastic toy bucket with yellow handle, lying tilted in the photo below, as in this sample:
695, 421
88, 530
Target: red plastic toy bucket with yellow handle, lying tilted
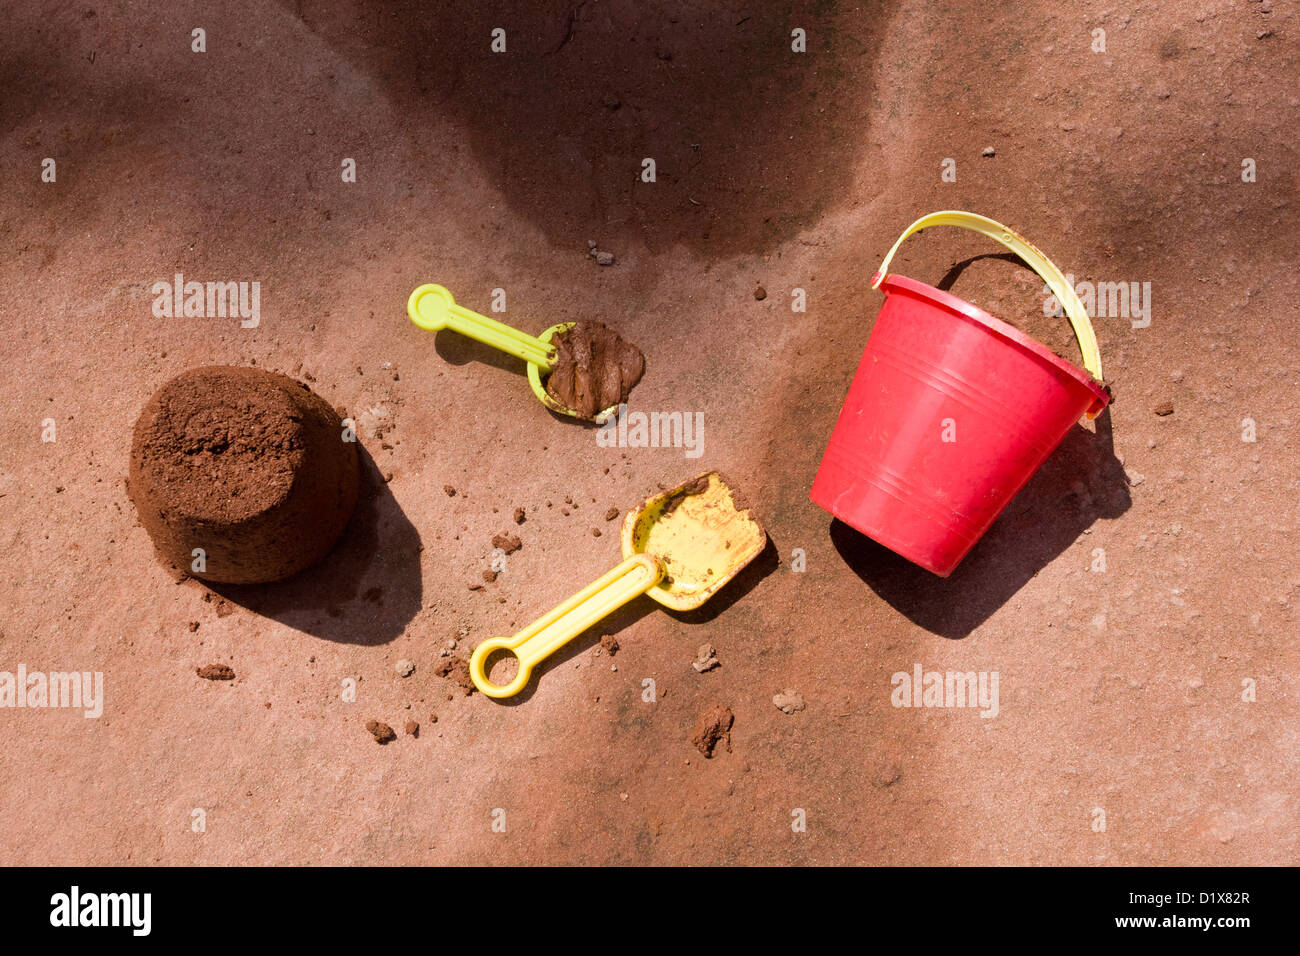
951, 412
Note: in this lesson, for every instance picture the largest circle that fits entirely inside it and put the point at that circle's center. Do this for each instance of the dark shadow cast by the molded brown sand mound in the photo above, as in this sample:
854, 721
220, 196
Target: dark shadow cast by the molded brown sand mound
366, 591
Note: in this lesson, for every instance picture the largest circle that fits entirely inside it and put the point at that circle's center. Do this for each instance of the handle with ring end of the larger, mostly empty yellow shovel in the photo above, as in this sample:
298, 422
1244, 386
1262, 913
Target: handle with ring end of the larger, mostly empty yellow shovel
558, 628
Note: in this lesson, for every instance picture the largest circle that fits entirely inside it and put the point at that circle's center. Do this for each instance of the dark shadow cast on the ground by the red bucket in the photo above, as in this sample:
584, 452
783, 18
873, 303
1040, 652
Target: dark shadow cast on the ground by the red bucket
1081, 483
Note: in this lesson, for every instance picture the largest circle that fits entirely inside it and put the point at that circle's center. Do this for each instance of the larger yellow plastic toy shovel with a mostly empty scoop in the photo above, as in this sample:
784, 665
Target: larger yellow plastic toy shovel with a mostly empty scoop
679, 548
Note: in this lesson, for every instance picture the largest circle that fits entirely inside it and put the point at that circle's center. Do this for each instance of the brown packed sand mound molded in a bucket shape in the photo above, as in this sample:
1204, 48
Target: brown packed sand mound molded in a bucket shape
249, 466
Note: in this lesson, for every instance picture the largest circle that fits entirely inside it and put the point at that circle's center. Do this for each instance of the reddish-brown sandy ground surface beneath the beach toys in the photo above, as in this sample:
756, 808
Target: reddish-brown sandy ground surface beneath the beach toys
1156, 698
